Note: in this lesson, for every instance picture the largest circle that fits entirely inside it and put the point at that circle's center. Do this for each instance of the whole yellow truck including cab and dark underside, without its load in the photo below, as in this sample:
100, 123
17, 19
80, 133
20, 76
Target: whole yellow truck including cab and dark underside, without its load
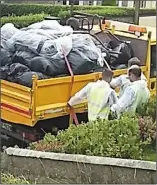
27, 111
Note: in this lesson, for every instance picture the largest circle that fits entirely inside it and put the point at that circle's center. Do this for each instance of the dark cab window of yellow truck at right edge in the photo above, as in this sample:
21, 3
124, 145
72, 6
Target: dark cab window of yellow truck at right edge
153, 61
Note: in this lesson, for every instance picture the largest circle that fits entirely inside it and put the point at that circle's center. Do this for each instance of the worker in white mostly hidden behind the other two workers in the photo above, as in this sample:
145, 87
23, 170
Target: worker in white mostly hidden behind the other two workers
123, 81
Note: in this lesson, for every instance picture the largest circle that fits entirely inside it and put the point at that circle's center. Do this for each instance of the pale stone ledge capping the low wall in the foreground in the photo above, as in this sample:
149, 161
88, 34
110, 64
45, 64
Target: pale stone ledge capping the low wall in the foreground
127, 163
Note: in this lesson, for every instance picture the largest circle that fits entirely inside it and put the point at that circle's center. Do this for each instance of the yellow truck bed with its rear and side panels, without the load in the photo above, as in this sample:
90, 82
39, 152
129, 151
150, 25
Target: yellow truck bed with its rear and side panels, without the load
46, 99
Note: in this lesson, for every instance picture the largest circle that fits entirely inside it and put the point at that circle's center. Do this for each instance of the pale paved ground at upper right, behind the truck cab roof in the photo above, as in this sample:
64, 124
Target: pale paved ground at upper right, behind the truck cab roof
148, 21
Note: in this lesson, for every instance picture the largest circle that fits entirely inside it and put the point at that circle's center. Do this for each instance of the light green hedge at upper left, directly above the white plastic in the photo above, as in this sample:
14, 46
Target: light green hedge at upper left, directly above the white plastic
22, 21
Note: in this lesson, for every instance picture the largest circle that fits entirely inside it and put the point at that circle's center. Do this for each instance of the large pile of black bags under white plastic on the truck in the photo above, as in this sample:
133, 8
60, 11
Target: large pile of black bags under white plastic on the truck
40, 49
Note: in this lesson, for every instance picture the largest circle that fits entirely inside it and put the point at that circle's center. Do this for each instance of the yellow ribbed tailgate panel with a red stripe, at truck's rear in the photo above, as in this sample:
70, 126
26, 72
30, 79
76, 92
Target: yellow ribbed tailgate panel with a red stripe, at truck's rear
15, 103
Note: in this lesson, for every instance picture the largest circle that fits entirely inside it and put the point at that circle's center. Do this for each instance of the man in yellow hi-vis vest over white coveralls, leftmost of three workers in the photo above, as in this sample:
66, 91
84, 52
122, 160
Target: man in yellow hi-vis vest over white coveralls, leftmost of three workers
100, 97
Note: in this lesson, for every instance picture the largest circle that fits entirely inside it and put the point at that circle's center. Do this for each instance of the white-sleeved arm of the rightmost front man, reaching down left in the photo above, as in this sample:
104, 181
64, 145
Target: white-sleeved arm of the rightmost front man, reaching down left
125, 101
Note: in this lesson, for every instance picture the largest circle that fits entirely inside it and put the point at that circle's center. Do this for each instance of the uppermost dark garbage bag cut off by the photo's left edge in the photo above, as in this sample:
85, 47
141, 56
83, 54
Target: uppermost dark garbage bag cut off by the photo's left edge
5, 57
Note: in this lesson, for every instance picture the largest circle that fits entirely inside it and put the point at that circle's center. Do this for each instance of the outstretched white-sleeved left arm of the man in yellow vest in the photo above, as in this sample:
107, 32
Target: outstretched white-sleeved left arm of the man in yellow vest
80, 96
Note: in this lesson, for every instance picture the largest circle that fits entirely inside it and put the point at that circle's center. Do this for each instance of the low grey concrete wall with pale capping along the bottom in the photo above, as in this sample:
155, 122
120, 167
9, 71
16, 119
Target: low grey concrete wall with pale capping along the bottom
44, 167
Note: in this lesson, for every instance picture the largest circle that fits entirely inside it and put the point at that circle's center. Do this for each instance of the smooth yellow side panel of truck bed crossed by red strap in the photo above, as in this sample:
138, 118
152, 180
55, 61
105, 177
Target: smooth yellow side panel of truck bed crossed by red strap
57, 90
